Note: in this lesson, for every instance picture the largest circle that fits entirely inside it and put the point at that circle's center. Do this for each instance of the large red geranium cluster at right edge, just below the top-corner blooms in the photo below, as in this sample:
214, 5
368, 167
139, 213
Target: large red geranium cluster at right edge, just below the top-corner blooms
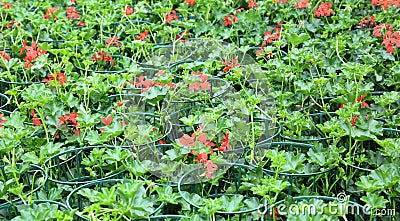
390, 37
